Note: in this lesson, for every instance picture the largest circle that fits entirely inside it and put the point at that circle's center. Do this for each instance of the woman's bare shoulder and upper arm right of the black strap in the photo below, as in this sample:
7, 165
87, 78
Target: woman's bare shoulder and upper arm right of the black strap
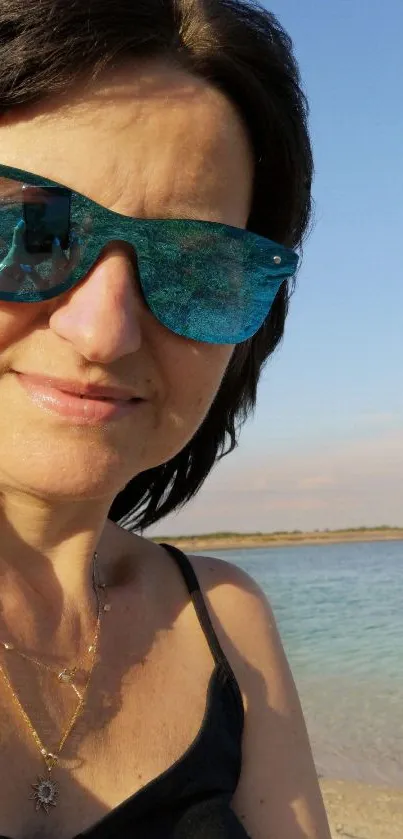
278, 793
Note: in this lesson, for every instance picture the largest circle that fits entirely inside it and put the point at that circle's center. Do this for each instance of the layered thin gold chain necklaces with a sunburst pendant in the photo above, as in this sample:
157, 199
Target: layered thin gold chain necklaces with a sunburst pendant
46, 790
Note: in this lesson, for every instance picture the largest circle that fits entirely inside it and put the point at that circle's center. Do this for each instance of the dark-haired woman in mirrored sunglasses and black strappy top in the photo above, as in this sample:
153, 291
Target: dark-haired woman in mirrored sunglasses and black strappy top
155, 178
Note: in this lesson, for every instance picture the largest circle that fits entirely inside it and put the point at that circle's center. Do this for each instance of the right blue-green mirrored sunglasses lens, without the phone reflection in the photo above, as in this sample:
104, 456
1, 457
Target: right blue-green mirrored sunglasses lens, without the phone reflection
209, 285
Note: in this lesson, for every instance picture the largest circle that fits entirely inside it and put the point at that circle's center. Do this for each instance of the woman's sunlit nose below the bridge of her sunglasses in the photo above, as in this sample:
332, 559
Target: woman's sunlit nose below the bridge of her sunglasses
101, 316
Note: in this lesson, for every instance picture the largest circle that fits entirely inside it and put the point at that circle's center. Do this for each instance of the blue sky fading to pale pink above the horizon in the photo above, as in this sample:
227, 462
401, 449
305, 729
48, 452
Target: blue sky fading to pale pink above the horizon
325, 446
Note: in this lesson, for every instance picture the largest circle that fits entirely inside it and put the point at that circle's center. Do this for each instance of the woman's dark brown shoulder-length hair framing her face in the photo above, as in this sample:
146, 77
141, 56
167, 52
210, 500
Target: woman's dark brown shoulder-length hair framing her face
241, 48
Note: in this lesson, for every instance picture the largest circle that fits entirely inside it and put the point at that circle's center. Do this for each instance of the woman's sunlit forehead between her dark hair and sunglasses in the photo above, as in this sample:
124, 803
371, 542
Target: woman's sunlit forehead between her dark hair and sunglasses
157, 143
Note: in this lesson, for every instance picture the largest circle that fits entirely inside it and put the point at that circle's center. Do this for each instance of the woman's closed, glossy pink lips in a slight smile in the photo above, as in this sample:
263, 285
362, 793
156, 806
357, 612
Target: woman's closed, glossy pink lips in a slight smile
82, 410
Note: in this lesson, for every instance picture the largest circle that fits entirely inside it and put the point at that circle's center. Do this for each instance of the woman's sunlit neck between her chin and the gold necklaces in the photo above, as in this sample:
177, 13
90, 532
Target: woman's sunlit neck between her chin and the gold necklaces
47, 601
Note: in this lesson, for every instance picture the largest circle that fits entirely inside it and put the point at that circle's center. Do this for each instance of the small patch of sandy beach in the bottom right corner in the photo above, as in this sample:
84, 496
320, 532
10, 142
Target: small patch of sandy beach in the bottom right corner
363, 811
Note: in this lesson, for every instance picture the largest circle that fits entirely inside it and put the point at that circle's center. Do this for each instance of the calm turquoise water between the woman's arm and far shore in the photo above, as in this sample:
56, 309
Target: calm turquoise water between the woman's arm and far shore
339, 609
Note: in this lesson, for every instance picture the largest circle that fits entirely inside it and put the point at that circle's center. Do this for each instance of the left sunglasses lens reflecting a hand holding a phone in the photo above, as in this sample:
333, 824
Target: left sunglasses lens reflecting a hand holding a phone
40, 244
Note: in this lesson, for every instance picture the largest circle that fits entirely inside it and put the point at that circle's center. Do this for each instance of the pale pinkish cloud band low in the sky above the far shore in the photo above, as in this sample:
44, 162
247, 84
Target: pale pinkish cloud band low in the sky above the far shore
347, 483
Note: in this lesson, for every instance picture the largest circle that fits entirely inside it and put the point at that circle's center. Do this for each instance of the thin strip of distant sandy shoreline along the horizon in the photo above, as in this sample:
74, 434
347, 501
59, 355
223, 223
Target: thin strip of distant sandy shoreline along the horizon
236, 541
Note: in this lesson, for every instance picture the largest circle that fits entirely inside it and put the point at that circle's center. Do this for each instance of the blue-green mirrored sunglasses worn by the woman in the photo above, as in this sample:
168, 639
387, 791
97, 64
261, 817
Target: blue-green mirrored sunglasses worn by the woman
203, 280
